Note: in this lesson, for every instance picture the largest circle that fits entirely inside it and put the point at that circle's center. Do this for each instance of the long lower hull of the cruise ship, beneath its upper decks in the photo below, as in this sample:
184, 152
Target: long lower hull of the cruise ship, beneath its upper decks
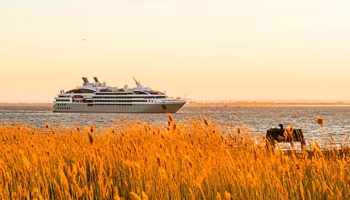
172, 107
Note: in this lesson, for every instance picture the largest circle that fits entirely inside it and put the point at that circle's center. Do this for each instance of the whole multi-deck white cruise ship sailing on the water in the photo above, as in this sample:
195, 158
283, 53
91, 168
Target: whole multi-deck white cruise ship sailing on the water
98, 97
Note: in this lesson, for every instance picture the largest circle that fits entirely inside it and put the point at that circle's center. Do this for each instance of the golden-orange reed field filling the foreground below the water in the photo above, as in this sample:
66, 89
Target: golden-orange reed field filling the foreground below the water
187, 160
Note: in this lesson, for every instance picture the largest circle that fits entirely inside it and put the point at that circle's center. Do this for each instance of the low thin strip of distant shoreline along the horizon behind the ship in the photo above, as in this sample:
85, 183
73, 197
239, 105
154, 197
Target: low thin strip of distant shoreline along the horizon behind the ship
48, 106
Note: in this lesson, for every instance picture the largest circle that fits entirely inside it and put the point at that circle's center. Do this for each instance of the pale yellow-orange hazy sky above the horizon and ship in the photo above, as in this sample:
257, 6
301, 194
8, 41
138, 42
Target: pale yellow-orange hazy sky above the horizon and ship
204, 50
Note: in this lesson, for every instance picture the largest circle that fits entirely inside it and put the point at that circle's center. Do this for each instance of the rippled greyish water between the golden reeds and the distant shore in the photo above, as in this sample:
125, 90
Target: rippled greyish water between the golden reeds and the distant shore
336, 129
